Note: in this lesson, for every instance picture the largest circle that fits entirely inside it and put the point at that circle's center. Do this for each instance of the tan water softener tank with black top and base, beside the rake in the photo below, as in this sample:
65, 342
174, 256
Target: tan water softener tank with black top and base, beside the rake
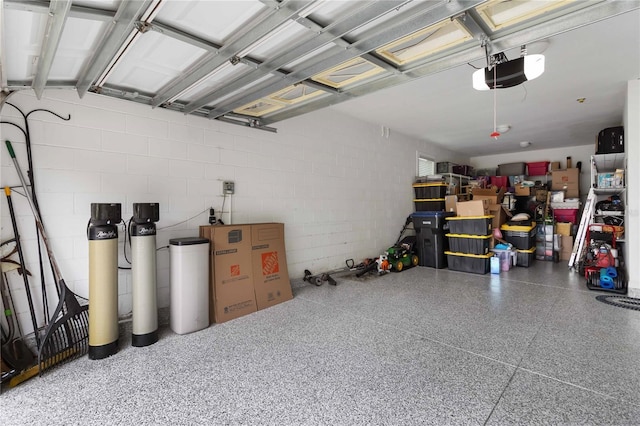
103, 279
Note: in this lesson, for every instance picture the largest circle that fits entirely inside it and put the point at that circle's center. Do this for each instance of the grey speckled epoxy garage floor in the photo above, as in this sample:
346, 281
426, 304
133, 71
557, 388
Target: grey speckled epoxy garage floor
425, 346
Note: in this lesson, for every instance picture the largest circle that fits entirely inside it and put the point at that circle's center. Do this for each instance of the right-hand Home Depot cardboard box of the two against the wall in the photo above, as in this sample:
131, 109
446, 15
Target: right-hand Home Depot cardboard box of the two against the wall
270, 274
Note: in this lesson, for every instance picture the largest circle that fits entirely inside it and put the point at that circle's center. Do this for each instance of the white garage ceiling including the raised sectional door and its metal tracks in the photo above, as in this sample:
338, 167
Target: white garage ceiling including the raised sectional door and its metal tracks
404, 65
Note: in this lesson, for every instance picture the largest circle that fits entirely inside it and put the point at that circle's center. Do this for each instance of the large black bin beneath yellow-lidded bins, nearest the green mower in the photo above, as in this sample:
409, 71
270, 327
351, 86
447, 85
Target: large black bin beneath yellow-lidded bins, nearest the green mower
431, 242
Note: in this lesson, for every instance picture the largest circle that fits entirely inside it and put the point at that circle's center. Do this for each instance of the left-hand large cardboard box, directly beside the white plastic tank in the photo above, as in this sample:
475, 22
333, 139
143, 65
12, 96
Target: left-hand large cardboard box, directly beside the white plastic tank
231, 286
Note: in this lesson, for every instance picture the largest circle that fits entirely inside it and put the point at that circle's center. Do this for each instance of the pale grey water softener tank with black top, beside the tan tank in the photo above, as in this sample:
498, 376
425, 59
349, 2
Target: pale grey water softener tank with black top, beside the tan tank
143, 268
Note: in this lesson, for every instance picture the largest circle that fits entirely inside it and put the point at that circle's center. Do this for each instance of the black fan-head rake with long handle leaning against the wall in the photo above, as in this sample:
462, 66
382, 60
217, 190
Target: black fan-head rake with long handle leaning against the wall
67, 334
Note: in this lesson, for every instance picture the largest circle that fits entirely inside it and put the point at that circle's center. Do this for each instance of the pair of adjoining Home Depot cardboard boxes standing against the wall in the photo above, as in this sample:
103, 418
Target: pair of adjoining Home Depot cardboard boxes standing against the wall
248, 269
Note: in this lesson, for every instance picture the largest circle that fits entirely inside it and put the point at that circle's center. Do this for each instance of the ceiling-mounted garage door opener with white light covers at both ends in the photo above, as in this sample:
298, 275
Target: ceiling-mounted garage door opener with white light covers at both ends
509, 73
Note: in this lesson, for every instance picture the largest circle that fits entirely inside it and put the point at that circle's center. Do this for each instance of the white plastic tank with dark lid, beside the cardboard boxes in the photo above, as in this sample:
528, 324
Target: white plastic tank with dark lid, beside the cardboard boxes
189, 310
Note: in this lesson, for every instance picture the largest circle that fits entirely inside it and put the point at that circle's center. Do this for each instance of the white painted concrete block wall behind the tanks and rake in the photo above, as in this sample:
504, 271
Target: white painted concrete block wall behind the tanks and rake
341, 186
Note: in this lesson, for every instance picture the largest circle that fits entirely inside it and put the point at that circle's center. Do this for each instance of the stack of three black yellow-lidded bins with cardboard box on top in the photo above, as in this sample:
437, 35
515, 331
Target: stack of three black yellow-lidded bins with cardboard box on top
469, 237
